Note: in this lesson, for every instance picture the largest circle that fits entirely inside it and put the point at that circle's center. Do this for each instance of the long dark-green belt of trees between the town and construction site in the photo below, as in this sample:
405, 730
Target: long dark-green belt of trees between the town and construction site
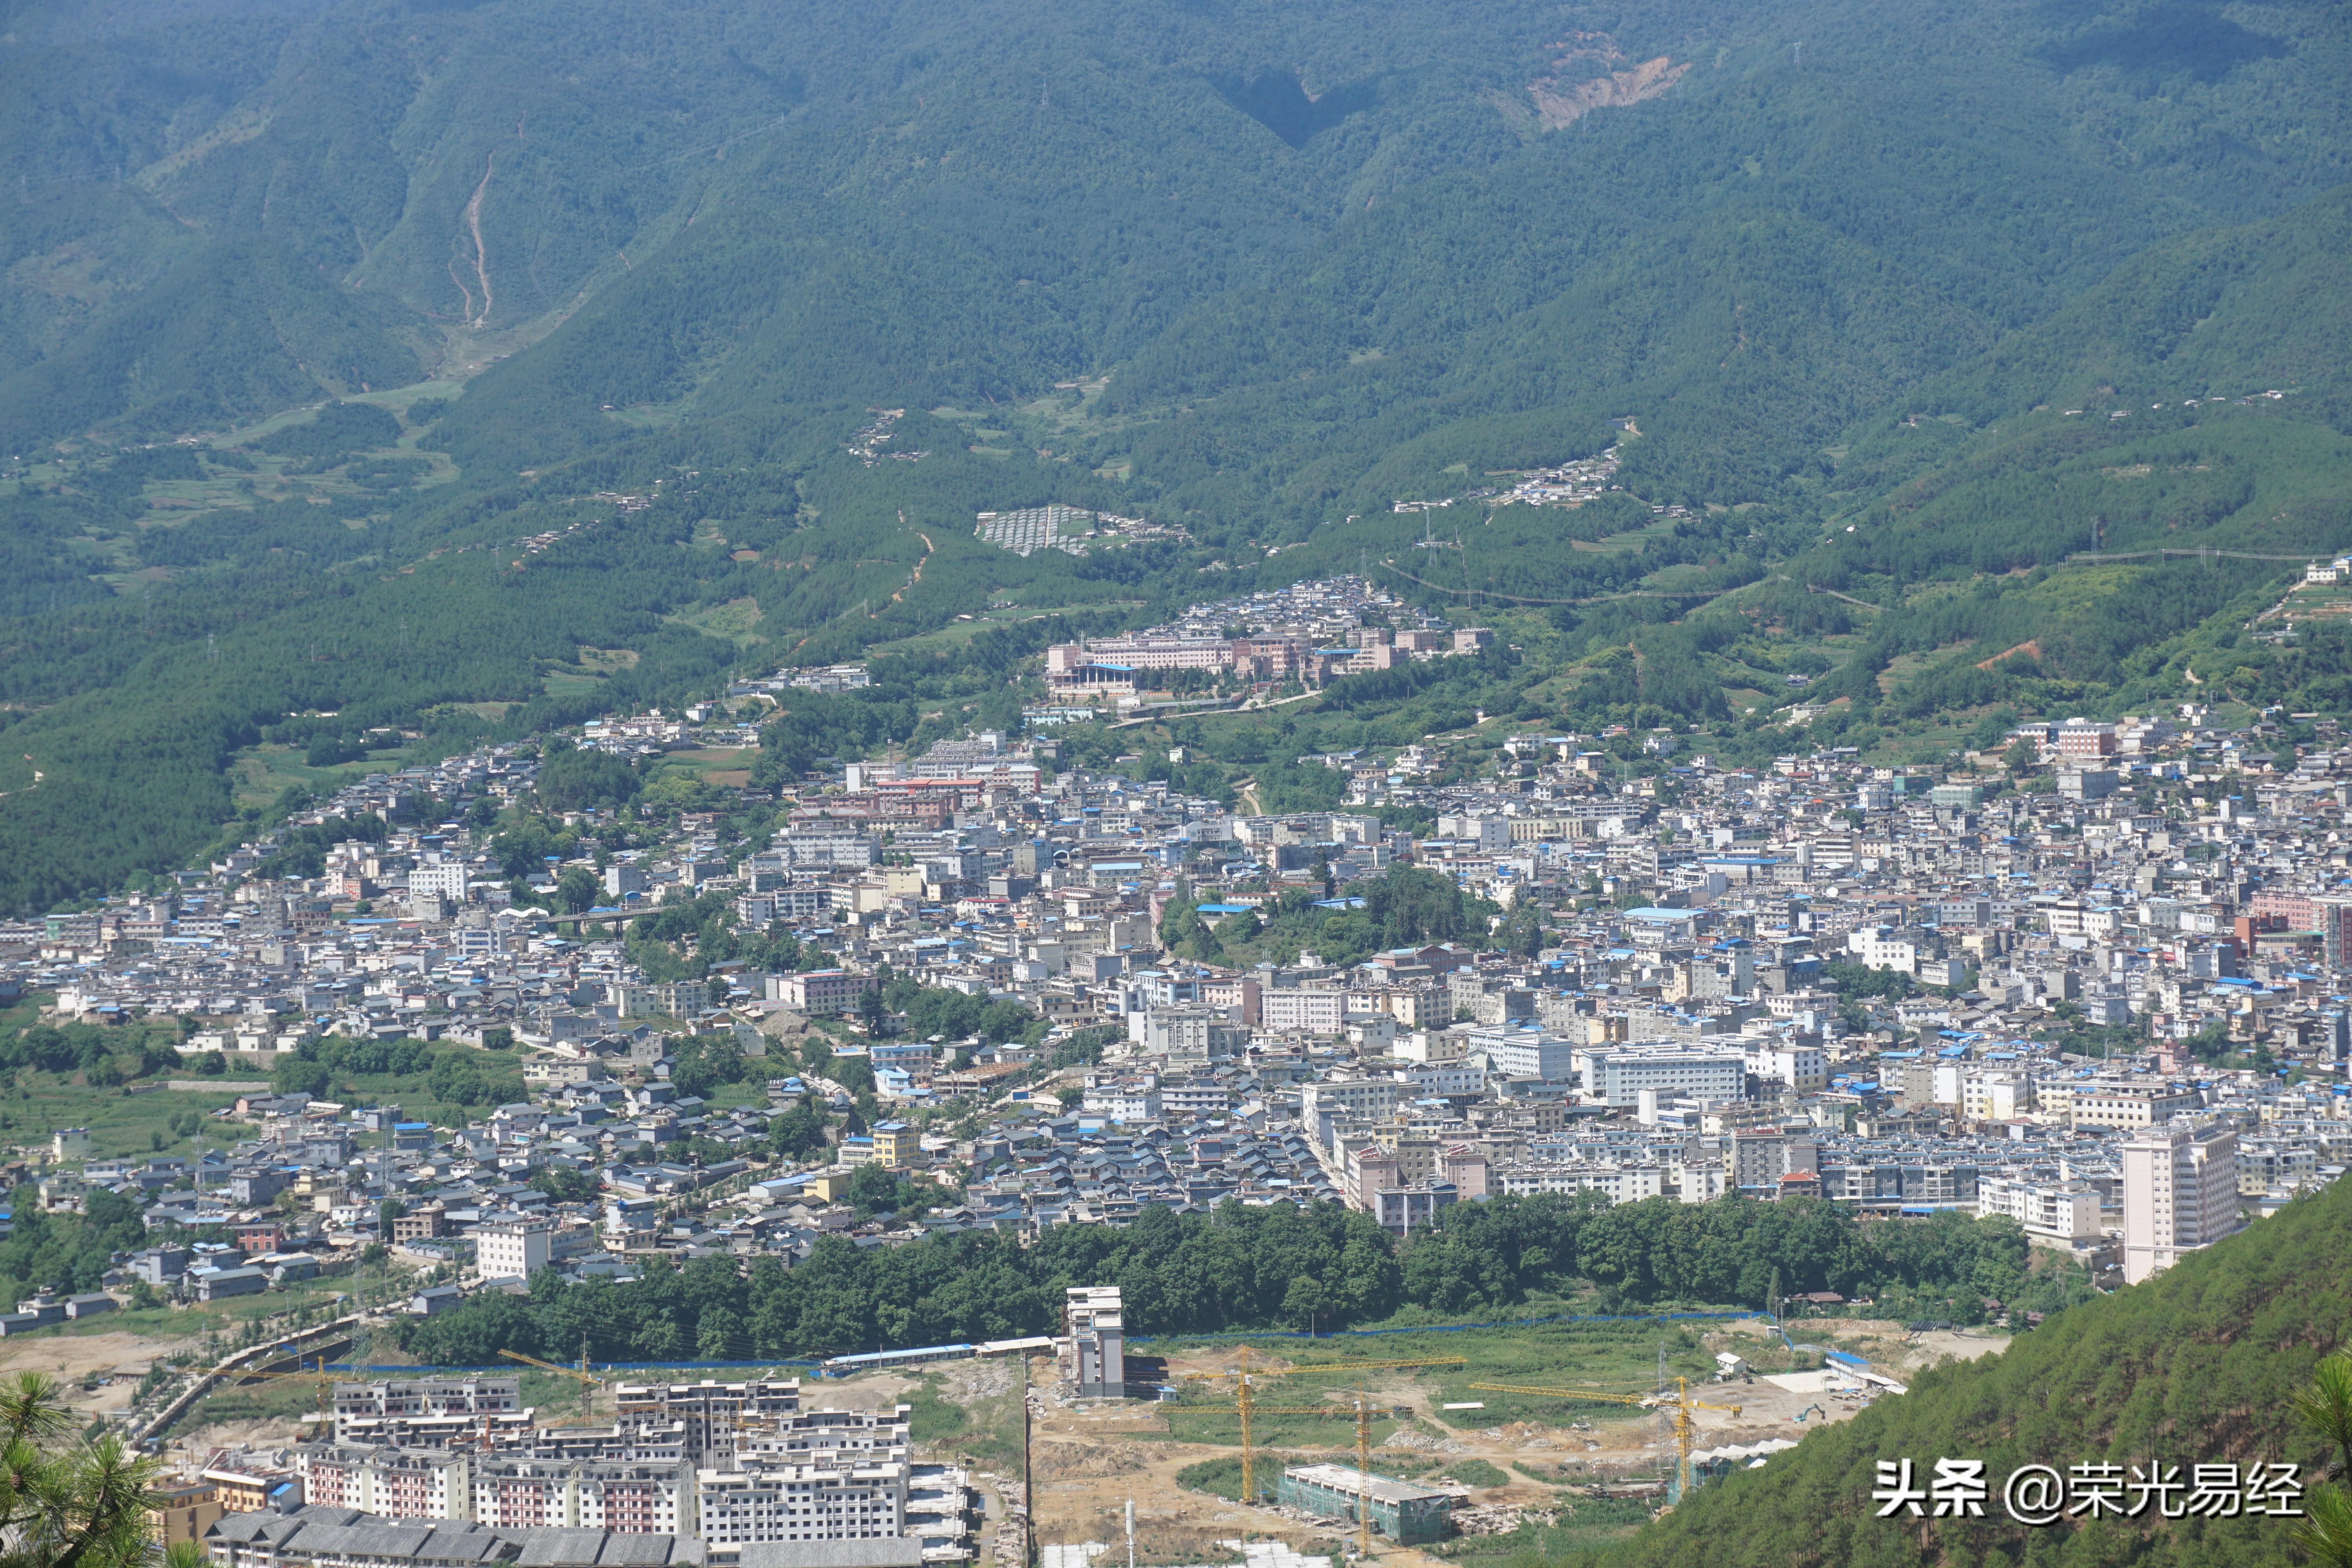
1255, 1268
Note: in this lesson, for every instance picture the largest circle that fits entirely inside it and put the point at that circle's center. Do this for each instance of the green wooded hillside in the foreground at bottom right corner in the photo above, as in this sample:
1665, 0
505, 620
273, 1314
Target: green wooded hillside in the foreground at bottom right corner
2189, 1369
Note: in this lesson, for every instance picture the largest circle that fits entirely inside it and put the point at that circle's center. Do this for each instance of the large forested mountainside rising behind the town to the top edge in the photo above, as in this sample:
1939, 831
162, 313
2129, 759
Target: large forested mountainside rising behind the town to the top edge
1831, 276
